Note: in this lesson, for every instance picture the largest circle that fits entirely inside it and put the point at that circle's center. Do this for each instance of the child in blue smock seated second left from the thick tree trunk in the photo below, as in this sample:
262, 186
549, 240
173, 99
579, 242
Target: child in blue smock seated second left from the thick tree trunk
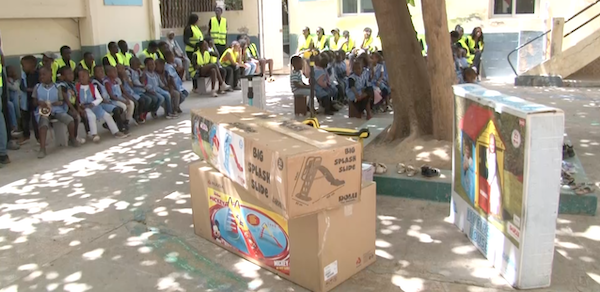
358, 90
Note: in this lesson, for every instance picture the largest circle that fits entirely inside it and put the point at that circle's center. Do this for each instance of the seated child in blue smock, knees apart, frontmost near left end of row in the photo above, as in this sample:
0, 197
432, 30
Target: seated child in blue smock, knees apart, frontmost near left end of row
51, 105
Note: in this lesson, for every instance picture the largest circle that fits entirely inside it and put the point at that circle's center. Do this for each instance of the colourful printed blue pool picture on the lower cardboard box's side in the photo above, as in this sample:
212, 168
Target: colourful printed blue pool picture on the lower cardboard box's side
250, 230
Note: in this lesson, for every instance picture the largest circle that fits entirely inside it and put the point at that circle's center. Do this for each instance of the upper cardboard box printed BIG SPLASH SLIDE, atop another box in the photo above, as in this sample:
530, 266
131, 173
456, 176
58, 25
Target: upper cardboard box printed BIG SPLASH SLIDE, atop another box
294, 169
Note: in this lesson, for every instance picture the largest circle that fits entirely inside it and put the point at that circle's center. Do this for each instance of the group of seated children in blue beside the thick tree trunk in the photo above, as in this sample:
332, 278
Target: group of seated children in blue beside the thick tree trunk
361, 81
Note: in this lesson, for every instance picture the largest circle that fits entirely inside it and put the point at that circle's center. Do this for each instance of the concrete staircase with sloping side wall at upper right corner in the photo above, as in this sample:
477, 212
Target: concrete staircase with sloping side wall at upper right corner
573, 58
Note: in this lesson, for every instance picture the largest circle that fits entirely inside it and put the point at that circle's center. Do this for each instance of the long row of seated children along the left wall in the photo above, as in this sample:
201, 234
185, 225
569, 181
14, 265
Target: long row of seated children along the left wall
59, 91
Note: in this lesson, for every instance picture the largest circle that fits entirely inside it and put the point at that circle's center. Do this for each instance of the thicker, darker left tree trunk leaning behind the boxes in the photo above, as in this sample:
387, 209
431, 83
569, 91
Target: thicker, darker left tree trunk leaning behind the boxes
407, 70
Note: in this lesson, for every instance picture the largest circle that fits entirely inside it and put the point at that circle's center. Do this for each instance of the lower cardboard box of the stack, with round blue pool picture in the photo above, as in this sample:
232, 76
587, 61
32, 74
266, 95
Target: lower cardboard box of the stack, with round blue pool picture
318, 251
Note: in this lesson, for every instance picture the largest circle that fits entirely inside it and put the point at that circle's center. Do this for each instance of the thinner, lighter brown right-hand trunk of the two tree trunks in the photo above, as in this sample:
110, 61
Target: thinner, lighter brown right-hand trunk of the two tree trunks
441, 67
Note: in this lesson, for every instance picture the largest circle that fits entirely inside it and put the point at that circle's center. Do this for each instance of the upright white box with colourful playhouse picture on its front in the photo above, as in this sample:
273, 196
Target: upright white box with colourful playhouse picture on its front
506, 183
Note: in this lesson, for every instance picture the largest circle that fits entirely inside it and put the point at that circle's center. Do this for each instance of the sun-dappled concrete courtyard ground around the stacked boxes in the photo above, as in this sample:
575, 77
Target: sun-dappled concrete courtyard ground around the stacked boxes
116, 216
